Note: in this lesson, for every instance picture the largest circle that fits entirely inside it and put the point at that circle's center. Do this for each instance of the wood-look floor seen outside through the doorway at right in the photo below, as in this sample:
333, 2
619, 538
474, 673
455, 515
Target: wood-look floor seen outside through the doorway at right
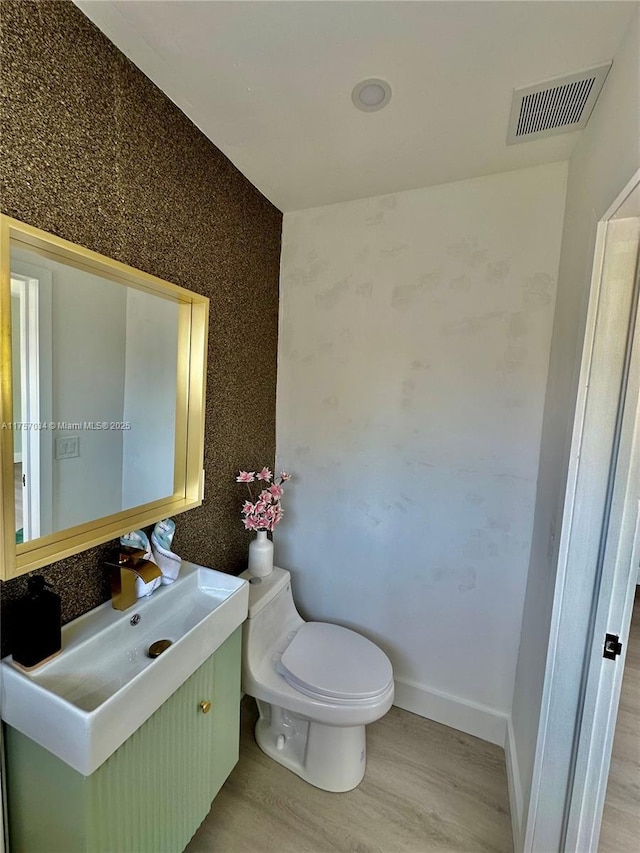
621, 819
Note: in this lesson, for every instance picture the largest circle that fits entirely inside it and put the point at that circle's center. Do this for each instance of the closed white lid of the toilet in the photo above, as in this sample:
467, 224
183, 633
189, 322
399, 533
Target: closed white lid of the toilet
334, 662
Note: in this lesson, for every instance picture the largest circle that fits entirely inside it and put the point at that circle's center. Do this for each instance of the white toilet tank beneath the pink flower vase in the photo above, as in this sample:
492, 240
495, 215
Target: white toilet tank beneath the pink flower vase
272, 614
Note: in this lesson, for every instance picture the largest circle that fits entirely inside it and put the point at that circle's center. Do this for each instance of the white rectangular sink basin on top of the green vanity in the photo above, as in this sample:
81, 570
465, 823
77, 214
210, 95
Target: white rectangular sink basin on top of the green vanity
87, 701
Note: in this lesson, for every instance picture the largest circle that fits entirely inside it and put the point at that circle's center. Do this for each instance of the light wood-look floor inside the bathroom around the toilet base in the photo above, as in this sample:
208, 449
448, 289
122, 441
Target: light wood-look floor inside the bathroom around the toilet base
427, 788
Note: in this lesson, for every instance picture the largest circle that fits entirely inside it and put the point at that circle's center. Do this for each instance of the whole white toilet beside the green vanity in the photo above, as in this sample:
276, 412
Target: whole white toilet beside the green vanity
317, 686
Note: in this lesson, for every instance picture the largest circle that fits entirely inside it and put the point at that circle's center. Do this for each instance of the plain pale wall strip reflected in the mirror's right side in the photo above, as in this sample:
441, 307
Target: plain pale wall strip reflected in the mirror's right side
149, 398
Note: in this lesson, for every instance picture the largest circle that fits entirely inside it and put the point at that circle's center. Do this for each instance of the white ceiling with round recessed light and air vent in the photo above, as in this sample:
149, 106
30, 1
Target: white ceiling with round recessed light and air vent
270, 83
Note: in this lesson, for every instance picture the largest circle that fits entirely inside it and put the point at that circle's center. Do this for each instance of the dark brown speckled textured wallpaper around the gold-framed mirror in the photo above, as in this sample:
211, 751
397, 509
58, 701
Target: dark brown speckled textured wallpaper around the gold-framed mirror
92, 151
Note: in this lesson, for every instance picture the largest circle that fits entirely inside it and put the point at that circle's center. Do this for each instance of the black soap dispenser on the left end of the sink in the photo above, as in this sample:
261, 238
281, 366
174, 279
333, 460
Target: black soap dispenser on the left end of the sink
37, 634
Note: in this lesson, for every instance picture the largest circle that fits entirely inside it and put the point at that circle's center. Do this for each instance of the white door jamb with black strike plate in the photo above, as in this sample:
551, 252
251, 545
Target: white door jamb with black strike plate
614, 594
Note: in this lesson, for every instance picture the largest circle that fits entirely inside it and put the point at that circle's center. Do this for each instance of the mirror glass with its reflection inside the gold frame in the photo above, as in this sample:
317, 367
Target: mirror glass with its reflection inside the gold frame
94, 395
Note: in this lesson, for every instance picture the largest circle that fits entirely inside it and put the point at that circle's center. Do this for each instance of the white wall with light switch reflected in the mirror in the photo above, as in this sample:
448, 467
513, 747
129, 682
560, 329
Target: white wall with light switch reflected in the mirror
88, 333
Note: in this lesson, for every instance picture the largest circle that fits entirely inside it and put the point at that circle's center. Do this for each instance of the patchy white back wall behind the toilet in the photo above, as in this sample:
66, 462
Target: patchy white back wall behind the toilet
414, 344
